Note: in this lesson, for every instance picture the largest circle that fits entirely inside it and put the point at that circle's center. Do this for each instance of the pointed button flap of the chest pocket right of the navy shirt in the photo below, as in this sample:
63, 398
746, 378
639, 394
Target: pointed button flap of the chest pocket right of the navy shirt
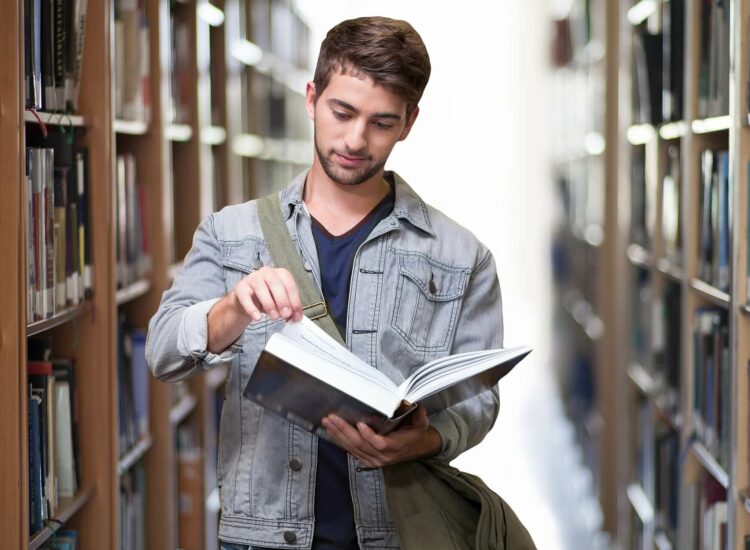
437, 281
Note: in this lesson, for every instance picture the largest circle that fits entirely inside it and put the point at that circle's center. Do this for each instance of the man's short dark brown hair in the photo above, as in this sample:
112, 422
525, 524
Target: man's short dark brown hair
387, 50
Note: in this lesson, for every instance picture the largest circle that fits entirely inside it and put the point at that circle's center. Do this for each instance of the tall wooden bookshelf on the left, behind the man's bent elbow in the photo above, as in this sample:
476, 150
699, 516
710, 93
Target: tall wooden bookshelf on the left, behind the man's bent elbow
161, 161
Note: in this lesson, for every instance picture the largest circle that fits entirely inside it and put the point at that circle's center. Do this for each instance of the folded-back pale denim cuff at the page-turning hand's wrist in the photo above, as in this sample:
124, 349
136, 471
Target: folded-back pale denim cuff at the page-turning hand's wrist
193, 337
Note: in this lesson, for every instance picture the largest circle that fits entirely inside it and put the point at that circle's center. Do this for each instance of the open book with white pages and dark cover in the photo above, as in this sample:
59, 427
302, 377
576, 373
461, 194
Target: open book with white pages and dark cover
303, 374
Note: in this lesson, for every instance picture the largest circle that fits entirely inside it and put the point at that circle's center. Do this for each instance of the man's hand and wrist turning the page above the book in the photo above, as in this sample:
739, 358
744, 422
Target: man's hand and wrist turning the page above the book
269, 290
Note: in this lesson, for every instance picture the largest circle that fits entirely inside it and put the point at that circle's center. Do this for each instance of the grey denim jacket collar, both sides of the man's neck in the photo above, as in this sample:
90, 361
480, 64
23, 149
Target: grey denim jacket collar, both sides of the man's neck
408, 204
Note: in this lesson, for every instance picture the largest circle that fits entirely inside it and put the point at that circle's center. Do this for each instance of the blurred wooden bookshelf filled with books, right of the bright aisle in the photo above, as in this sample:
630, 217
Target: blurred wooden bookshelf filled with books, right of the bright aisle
677, 166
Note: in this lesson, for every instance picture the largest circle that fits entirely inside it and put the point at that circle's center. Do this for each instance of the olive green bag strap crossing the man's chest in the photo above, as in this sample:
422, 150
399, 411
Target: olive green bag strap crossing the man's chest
285, 255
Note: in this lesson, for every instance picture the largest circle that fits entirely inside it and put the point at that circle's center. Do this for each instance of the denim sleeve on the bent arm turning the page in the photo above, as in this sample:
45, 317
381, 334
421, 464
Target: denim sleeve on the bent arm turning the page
178, 332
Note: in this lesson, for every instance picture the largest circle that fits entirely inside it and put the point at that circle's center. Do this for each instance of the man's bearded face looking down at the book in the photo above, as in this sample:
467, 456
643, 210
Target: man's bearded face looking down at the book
357, 123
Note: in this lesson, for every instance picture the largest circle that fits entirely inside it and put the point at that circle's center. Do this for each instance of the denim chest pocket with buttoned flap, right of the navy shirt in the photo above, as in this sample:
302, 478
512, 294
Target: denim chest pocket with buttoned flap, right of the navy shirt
428, 301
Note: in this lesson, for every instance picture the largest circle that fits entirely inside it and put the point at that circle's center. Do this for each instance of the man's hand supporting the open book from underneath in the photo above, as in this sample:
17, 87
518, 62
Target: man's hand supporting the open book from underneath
409, 442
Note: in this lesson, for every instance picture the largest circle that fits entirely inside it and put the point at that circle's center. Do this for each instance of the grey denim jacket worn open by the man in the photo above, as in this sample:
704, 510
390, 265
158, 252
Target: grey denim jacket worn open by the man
421, 287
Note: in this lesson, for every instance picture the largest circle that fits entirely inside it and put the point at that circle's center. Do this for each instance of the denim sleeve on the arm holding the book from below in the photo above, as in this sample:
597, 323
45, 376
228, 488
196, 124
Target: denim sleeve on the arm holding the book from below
480, 326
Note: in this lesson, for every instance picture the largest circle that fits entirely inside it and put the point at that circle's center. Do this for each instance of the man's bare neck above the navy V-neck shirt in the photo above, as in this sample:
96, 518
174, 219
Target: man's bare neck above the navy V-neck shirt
340, 207
